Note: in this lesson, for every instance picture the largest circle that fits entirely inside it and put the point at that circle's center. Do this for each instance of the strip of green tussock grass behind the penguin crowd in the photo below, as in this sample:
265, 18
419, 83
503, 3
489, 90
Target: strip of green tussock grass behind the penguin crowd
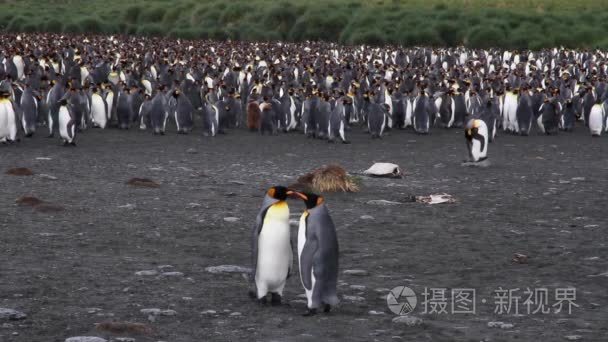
475, 23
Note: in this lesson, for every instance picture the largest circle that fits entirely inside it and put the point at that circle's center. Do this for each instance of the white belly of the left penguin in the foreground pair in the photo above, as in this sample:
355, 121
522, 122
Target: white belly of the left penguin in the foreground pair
274, 256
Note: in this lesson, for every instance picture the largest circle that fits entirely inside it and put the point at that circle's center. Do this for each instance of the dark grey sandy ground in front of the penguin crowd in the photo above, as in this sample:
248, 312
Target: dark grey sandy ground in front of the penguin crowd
56, 265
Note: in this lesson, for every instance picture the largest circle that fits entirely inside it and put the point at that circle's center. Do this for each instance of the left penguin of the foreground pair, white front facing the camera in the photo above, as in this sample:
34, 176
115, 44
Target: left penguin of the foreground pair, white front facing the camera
271, 252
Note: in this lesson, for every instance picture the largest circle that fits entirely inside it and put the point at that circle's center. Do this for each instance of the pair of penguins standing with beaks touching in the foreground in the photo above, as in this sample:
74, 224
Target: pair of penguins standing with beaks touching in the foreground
317, 250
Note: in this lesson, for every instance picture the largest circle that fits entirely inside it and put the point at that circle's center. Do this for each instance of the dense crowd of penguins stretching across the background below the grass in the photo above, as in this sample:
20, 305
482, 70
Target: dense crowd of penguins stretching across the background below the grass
71, 83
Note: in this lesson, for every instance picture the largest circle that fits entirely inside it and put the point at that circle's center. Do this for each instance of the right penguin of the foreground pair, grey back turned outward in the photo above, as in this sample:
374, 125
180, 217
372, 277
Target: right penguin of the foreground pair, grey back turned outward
318, 254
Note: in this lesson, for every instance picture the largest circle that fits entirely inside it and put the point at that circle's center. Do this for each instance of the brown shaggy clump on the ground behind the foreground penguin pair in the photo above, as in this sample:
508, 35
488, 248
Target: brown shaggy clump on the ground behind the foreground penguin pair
332, 178
